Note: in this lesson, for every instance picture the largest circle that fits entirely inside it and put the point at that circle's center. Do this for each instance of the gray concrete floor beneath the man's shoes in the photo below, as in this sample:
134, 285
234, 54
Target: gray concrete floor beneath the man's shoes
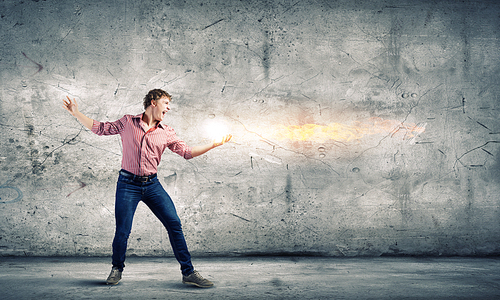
254, 278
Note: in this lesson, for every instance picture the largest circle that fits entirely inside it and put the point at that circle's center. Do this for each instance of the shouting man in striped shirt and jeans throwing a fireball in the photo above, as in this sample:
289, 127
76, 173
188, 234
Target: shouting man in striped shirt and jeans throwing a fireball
144, 139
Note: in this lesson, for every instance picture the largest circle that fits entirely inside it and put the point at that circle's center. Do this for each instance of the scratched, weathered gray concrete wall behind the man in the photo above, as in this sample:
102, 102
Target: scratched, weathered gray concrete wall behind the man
360, 127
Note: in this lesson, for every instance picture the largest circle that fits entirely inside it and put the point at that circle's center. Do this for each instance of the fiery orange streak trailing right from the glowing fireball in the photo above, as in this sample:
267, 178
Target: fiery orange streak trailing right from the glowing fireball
346, 133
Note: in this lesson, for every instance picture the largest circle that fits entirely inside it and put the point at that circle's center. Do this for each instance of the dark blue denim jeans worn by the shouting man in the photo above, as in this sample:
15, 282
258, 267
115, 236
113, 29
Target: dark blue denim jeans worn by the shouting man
129, 193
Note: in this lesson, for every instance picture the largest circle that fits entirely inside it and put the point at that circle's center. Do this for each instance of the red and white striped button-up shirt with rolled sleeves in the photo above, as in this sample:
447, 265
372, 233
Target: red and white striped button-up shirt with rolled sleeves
142, 150
